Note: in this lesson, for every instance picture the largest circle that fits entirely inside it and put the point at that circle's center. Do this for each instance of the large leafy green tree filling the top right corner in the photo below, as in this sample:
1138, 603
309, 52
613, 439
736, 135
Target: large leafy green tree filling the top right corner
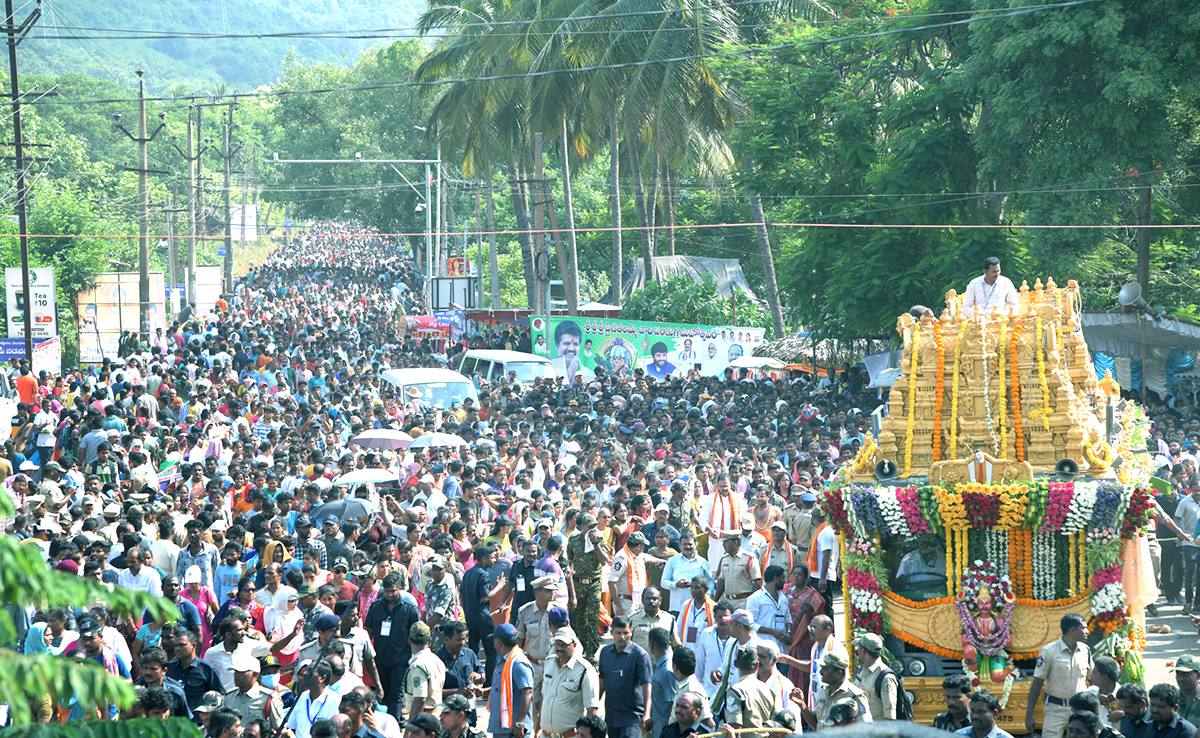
1075, 98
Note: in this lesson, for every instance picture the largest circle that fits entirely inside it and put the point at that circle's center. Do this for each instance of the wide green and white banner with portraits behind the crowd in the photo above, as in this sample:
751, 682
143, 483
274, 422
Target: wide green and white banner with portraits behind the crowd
619, 347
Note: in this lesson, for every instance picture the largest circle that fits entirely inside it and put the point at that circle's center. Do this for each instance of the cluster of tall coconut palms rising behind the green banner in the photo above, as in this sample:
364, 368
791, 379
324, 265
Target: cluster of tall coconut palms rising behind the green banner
632, 74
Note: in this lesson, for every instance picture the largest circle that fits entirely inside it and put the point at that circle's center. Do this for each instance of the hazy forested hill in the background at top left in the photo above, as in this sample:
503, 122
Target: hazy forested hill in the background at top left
200, 63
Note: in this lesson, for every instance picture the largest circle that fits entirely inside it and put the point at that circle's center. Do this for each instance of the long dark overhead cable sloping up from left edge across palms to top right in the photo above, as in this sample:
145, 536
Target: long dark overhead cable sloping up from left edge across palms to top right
532, 75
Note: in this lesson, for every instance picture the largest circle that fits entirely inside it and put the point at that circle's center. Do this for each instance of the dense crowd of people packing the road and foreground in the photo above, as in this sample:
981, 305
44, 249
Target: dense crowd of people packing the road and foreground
621, 557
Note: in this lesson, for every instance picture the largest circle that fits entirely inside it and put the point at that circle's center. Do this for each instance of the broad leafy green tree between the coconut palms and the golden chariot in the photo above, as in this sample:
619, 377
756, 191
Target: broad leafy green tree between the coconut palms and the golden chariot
841, 133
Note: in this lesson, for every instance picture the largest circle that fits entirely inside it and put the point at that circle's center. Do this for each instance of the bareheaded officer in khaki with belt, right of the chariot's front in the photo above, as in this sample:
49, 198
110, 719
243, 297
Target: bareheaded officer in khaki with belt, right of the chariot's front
1063, 670
